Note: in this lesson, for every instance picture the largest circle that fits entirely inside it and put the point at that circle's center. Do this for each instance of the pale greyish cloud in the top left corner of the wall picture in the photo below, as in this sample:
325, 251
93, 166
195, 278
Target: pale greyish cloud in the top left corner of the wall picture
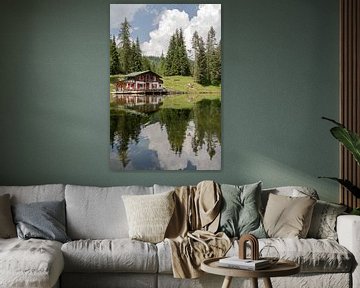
118, 12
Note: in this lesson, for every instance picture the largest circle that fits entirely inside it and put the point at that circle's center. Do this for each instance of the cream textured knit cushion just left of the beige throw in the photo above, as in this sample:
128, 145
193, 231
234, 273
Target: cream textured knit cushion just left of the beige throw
149, 215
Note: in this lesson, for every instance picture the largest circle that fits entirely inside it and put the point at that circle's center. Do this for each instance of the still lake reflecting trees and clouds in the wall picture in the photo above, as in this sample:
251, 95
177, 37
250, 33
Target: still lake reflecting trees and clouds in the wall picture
146, 134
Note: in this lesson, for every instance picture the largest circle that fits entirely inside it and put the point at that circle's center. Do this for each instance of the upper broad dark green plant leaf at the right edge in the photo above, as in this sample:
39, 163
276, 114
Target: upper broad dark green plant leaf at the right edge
348, 138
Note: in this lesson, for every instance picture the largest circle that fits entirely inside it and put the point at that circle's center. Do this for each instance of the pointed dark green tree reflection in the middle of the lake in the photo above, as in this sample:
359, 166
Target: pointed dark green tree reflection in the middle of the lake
176, 122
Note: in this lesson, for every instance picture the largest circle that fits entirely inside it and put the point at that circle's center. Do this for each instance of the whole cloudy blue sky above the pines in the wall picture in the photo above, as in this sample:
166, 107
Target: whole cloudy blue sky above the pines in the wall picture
155, 23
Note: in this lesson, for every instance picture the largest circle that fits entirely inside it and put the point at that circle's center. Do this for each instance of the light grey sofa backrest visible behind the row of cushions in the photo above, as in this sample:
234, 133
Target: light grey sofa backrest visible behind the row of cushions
99, 212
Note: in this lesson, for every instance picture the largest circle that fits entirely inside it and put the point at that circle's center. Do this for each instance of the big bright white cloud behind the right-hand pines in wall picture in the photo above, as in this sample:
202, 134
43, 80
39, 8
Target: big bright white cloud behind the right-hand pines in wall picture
170, 20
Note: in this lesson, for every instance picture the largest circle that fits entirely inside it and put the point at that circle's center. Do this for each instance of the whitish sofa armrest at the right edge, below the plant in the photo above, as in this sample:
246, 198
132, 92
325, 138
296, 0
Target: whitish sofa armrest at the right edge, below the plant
348, 230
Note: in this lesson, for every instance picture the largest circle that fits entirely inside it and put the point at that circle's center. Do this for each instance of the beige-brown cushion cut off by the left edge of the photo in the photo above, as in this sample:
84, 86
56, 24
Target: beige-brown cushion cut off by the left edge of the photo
7, 226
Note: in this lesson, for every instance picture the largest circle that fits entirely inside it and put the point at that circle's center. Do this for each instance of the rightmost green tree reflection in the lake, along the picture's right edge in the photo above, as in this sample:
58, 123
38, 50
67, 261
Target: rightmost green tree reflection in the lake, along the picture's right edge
207, 119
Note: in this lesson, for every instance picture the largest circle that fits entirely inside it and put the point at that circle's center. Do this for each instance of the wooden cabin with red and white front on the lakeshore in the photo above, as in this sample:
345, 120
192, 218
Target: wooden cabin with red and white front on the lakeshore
138, 82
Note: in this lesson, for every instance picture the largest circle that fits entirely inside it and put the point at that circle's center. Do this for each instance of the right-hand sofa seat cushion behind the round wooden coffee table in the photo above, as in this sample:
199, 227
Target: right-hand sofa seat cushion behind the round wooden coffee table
313, 255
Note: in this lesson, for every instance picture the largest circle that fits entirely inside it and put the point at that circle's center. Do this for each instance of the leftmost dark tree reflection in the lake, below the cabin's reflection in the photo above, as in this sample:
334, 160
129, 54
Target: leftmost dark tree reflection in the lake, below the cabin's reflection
124, 128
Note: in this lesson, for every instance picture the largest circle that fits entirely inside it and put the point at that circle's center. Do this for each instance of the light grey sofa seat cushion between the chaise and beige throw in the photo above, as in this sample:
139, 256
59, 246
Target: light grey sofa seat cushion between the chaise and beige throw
110, 255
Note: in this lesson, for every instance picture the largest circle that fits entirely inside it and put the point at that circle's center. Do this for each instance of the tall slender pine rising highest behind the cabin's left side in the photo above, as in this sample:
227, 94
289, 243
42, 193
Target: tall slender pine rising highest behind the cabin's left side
125, 46
